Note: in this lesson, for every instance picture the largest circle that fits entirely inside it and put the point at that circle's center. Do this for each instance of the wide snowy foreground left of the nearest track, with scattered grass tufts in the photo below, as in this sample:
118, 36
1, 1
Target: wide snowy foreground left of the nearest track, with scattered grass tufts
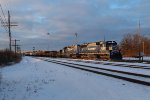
34, 79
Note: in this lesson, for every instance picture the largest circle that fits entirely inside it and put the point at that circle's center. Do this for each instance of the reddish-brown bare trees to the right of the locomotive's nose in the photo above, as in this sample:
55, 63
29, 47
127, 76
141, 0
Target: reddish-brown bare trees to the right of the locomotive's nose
133, 44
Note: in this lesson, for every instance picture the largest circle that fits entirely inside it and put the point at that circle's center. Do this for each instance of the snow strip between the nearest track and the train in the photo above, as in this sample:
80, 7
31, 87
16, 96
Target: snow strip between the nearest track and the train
113, 67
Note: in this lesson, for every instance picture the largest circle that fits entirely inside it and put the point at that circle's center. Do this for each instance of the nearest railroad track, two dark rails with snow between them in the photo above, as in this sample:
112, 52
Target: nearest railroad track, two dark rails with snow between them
127, 76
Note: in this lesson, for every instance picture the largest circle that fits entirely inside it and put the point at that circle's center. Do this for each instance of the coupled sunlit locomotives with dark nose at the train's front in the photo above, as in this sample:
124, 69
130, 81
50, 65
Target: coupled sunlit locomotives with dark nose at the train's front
104, 50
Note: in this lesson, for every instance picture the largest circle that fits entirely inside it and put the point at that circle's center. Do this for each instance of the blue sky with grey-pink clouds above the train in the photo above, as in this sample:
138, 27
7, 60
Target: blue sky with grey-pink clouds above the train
52, 24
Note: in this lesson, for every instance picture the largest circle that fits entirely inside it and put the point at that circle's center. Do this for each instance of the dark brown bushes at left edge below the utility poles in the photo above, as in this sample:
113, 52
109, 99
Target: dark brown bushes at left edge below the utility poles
7, 57
